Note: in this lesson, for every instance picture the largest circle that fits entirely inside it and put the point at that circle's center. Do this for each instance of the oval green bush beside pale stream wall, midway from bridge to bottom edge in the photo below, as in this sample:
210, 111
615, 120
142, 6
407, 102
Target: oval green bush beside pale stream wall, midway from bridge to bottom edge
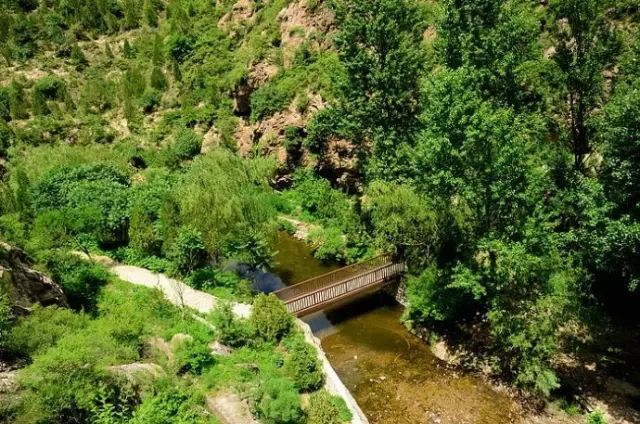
302, 365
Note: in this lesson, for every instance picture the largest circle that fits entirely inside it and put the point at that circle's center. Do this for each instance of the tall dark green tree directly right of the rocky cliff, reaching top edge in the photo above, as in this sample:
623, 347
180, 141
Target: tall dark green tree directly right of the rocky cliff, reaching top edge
379, 44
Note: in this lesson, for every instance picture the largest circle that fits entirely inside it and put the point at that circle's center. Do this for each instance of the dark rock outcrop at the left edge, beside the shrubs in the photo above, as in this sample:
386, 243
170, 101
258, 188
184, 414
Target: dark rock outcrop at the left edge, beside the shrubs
24, 285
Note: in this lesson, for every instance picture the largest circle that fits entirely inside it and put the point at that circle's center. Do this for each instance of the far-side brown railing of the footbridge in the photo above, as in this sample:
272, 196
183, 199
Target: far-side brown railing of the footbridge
330, 278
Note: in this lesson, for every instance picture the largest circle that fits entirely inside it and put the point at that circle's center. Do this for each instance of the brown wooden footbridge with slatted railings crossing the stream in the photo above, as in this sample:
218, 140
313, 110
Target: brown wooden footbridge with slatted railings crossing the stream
324, 290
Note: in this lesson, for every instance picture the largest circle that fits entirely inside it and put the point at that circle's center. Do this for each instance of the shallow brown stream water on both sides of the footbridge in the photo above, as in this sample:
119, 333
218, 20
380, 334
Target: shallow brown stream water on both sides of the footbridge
392, 374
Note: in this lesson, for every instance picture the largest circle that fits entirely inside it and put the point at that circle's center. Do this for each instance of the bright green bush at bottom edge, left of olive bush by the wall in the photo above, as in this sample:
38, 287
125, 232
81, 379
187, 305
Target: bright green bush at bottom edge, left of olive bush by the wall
278, 402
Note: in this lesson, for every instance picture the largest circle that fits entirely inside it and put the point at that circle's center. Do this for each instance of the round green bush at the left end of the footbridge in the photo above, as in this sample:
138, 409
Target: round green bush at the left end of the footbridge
270, 318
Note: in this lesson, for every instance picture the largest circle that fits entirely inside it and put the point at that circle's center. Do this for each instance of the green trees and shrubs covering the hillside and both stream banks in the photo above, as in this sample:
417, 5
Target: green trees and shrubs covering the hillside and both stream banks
494, 144
